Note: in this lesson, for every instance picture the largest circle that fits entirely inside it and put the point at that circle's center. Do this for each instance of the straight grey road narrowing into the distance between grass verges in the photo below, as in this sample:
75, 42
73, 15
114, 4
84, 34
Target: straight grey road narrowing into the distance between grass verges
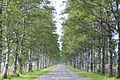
60, 72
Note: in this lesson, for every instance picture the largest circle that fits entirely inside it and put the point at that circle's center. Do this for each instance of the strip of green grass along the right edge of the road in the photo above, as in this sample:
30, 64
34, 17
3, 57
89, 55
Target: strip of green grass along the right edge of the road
91, 75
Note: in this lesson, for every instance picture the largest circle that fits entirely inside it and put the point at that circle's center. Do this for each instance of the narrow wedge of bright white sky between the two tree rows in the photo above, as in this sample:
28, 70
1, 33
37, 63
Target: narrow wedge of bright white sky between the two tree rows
59, 6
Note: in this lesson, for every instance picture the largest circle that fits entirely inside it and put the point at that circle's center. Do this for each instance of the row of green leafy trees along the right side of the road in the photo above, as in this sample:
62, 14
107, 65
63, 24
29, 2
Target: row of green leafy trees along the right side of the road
88, 36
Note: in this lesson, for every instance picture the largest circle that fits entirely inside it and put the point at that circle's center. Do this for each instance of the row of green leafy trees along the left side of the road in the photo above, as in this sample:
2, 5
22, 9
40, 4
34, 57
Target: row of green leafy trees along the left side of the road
27, 36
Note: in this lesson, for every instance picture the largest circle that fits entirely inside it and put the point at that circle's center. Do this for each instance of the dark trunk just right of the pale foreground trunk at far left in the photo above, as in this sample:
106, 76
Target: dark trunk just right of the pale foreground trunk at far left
16, 53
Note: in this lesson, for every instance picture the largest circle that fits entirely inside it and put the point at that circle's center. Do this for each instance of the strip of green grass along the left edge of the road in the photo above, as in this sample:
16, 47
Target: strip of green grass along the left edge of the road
29, 76
